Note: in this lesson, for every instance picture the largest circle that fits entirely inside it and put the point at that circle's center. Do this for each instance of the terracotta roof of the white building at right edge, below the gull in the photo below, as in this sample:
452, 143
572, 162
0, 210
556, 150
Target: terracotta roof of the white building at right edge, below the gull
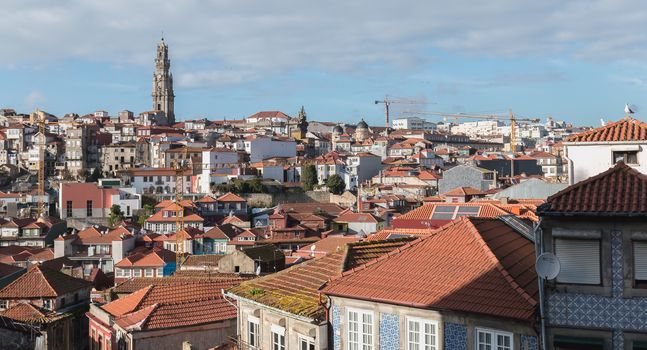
626, 129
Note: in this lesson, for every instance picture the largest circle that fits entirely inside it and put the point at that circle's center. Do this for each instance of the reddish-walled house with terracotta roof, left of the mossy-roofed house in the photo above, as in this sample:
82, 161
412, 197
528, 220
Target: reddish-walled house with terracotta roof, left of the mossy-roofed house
165, 315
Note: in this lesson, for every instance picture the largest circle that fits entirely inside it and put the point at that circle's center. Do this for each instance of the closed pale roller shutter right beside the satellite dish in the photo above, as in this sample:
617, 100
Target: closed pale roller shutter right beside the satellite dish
579, 260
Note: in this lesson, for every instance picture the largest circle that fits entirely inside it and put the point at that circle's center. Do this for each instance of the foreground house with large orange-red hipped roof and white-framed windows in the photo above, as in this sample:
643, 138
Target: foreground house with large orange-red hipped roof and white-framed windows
477, 289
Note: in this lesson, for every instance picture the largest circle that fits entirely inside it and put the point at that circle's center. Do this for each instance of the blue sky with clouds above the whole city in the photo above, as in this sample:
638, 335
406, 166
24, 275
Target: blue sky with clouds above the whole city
575, 60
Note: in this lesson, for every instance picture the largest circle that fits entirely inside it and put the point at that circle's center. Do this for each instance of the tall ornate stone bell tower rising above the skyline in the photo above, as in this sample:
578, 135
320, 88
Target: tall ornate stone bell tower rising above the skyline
163, 97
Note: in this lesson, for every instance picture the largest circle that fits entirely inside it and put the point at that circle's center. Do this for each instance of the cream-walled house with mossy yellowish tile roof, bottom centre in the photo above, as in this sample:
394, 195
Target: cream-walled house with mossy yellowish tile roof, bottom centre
284, 311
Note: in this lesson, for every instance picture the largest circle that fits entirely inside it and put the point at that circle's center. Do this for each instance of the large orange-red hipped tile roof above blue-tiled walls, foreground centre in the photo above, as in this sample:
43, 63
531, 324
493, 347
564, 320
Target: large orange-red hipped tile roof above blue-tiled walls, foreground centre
470, 265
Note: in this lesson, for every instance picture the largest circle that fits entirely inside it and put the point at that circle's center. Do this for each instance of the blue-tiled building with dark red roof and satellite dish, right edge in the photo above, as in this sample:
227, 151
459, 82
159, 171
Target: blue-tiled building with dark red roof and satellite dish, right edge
595, 228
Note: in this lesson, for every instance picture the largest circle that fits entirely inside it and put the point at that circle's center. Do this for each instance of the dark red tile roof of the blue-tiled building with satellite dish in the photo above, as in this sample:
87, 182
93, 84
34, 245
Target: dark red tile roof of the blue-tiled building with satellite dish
620, 190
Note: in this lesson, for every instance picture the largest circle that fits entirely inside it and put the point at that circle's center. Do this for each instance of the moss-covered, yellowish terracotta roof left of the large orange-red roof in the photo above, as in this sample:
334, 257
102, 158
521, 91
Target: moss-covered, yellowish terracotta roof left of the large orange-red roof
295, 289
